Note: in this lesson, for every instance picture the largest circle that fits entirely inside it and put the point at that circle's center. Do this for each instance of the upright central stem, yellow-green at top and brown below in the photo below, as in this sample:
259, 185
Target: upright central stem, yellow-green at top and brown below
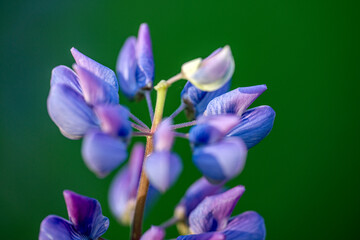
161, 89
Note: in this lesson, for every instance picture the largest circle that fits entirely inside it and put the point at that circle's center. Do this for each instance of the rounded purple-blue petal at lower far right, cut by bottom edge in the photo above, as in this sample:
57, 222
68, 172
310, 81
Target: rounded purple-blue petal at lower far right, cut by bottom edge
246, 226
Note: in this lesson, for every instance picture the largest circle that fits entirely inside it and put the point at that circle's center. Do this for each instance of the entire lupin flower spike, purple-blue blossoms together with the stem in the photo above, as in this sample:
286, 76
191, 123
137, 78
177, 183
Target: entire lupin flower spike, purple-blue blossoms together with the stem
84, 103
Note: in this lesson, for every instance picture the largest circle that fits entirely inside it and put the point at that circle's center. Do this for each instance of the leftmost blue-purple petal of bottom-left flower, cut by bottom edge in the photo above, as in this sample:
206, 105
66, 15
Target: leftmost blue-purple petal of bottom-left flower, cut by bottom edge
54, 227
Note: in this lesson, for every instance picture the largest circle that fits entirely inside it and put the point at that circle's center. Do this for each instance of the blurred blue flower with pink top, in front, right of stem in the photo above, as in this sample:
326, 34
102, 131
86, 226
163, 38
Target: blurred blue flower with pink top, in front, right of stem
218, 158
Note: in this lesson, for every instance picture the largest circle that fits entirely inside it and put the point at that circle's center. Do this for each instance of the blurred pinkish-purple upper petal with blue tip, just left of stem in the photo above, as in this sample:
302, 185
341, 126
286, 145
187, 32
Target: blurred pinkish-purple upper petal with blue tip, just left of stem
114, 120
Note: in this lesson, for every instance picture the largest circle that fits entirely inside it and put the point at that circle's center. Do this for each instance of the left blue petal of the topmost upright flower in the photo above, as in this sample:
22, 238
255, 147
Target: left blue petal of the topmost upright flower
126, 68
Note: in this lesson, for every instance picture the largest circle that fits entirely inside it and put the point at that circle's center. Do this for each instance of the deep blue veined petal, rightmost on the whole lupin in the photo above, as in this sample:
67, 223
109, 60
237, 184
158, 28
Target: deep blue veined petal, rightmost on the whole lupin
255, 125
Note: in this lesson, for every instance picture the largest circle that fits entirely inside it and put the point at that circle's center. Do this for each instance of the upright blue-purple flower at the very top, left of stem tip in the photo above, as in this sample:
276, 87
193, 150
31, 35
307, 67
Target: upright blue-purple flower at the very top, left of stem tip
135, 64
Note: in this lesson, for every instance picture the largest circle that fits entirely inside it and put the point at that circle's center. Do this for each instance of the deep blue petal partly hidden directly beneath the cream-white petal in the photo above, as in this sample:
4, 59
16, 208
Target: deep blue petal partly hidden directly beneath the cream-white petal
196, 100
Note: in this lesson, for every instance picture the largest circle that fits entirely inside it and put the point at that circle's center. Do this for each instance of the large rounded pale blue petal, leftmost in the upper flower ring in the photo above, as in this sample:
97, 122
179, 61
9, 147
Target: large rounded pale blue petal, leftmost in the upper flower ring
67, 108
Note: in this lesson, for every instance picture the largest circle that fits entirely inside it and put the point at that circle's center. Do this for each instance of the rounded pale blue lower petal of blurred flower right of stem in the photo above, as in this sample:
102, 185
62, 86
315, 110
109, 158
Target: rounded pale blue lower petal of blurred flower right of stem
221, 161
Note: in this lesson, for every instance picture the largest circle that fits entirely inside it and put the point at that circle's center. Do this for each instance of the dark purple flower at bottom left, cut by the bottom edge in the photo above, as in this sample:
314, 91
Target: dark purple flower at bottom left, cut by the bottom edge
85, 220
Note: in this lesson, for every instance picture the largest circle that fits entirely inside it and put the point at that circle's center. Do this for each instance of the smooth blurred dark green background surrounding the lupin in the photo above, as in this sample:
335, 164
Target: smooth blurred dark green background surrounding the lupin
303, 178
